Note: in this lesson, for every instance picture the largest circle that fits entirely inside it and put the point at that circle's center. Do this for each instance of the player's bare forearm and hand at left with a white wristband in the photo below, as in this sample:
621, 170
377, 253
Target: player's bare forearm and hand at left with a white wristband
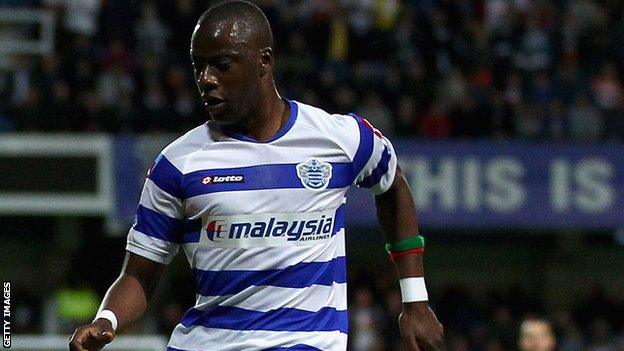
126, 298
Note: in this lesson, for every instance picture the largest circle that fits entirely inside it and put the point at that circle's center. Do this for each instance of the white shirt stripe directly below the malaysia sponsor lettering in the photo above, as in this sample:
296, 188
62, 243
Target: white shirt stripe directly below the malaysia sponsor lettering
263, 258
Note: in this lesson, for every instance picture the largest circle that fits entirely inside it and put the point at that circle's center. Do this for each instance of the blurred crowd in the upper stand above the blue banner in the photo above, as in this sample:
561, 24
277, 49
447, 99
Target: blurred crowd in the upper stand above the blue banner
499, 69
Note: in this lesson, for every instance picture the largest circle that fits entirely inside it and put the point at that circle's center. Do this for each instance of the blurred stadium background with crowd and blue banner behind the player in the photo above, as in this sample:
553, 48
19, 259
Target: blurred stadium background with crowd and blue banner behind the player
507, 115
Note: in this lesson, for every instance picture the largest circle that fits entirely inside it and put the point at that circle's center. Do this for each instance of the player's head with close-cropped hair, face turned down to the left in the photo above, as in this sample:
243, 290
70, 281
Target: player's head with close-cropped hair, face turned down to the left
232, 56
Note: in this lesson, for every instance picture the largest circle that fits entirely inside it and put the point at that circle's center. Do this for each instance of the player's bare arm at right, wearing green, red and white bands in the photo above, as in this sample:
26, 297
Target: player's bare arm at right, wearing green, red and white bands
396, 212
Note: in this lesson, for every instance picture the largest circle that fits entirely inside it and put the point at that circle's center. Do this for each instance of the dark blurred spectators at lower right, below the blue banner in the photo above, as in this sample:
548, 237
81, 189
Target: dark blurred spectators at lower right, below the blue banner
491, 321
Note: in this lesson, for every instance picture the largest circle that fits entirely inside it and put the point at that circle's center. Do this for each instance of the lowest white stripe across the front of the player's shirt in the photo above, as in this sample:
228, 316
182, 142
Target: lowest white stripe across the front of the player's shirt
200, 338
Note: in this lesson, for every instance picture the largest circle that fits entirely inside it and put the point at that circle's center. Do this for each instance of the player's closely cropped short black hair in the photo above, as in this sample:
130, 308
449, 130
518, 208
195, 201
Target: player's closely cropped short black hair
251, 16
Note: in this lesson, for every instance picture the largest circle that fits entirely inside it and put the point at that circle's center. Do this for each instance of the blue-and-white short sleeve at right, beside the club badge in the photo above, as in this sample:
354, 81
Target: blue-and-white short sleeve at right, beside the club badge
374, 162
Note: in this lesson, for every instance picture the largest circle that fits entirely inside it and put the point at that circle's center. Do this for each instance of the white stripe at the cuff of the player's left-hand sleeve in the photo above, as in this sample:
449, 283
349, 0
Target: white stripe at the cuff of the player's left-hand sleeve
152, 248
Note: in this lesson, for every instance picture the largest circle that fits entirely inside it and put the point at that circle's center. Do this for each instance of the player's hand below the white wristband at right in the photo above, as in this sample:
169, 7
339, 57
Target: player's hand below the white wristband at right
420, 328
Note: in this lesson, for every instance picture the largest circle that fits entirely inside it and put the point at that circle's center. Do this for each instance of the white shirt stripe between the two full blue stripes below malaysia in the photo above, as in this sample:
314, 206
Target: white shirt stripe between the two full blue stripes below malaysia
266, 298
